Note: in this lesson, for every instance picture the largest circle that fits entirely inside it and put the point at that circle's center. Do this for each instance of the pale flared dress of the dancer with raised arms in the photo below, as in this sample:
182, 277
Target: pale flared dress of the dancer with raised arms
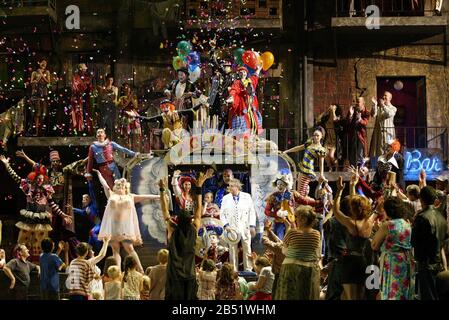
120, 220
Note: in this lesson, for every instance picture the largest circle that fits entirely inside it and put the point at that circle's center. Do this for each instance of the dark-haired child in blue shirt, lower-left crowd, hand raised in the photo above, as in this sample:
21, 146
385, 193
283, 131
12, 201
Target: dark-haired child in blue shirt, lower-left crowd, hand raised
50, 264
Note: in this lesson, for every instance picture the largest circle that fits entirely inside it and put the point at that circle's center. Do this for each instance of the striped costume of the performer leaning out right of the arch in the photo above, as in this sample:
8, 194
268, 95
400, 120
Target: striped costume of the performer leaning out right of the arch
306, 166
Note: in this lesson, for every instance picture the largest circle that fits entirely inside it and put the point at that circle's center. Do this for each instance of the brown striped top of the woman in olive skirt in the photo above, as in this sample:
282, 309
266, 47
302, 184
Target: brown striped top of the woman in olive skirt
303, 246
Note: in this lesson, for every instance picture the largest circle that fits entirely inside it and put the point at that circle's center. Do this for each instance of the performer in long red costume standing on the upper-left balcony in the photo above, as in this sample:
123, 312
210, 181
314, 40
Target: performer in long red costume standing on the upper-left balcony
81, 114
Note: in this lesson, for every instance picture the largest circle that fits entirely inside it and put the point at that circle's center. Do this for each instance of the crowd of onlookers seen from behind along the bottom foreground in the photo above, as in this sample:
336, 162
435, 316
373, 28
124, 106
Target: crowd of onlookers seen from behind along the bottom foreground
391, 248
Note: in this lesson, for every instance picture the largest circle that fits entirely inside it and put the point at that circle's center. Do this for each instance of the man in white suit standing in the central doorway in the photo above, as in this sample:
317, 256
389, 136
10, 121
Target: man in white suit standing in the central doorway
237, 212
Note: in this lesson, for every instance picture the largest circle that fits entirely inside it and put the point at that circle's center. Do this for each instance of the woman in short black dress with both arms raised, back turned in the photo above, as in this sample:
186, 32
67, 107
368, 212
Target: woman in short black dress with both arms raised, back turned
358, 223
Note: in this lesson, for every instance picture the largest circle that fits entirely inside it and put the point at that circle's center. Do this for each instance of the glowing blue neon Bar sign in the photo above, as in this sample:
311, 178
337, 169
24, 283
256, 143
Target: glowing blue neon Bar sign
423, 159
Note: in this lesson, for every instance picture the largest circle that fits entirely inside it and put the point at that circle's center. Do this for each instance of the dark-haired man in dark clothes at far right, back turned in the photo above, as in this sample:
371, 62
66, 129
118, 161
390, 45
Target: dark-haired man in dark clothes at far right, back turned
428, 235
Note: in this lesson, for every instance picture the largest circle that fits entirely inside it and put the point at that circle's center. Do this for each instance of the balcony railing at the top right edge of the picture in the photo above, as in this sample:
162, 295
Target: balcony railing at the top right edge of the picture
387, 8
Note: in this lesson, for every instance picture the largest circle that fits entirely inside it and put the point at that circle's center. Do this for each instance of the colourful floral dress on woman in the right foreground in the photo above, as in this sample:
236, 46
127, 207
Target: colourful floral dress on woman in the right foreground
396, 262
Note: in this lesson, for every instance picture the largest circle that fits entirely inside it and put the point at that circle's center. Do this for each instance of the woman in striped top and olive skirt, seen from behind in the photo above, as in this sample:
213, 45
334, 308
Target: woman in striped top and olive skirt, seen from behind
299, 278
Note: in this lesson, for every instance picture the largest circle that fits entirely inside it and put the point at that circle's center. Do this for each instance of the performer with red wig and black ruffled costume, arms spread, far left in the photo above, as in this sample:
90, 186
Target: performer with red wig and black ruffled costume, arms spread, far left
35, 220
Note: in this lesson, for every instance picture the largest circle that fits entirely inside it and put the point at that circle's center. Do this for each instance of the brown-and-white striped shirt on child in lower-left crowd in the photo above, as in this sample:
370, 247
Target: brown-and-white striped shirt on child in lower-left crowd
80, 275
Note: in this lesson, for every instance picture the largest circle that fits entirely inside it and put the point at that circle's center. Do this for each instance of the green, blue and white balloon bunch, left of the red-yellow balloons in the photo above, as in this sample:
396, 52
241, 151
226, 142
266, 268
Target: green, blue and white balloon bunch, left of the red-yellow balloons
189, 59
